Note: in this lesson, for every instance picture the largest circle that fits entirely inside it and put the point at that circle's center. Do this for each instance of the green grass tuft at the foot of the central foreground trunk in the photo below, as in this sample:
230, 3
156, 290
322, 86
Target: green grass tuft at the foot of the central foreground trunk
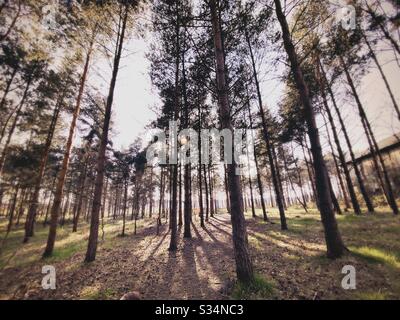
259, 288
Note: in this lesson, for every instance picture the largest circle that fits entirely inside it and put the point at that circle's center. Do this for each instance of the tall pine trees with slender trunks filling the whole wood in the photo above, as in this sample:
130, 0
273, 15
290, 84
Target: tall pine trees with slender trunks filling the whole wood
208, 59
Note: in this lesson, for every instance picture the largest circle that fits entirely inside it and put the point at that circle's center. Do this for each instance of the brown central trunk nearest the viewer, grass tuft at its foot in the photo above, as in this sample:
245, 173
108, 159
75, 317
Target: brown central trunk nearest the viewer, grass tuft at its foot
244, 268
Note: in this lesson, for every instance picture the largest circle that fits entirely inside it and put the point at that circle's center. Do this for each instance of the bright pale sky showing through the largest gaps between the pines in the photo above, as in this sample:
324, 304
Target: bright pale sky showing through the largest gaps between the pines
135, 98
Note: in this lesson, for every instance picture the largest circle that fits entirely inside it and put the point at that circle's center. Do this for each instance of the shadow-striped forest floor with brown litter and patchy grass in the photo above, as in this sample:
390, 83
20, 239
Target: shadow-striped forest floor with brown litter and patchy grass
293, 262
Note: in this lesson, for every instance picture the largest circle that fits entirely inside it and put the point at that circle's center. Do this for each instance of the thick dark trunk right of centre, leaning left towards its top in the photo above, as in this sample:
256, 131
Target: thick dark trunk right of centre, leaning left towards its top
335, 246
